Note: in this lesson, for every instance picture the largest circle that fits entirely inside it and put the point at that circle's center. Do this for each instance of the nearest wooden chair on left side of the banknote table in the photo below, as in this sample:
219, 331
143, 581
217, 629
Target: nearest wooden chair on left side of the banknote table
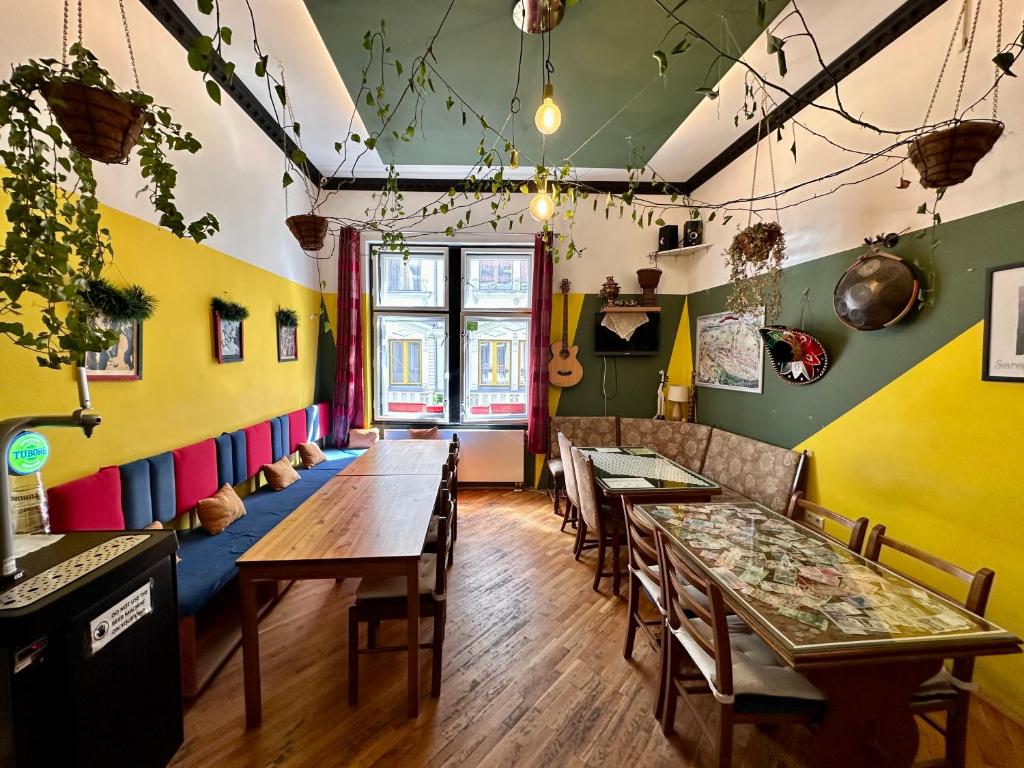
709, 653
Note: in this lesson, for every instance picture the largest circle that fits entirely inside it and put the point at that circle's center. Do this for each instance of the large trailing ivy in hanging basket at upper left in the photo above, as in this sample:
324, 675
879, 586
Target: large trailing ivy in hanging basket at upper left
56, 247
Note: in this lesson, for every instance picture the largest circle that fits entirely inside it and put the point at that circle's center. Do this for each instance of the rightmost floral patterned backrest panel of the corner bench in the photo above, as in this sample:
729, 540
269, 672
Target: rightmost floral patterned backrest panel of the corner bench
762, 473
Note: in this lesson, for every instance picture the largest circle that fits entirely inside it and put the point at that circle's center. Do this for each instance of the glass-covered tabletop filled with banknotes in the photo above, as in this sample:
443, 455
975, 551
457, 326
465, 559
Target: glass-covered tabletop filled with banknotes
814, 601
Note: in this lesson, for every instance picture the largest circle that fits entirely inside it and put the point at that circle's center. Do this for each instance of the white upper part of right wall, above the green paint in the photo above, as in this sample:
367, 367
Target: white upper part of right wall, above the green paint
891, 91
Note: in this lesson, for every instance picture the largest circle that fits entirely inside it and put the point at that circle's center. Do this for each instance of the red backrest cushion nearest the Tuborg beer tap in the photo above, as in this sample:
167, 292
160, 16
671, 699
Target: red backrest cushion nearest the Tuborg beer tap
92, 503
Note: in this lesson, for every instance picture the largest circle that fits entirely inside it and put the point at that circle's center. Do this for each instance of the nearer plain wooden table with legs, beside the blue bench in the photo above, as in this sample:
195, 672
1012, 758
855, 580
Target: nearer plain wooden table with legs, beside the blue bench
359, 526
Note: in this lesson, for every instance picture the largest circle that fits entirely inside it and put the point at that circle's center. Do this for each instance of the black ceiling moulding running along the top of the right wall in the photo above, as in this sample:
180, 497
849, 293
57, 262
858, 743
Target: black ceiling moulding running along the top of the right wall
887, 32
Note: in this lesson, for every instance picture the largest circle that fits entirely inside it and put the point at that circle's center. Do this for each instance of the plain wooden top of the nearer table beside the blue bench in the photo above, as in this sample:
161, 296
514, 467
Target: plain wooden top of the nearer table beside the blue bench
354, 519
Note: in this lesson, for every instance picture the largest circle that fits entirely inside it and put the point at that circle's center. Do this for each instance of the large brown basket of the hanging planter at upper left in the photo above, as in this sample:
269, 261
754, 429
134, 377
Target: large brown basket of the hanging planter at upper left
100, 124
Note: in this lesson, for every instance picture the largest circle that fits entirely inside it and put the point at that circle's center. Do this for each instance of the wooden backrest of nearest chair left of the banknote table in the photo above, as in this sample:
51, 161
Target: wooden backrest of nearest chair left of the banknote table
707, 625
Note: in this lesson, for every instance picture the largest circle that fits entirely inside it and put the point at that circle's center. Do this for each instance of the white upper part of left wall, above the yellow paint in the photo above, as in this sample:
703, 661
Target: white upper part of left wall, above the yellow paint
236, 177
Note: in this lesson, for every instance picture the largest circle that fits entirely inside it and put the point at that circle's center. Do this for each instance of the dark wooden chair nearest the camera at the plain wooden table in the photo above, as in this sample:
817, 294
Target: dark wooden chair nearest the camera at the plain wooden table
383, 599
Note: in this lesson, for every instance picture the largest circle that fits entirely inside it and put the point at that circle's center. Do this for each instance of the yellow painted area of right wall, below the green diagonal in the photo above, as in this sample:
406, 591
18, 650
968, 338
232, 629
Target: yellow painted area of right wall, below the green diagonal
945, 475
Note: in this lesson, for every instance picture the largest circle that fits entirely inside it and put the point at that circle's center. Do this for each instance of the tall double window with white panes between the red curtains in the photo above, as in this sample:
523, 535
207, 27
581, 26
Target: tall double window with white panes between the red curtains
483, 292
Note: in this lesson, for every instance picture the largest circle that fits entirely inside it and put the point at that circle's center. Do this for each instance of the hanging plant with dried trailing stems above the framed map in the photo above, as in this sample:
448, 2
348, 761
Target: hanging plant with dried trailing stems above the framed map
755, 260
